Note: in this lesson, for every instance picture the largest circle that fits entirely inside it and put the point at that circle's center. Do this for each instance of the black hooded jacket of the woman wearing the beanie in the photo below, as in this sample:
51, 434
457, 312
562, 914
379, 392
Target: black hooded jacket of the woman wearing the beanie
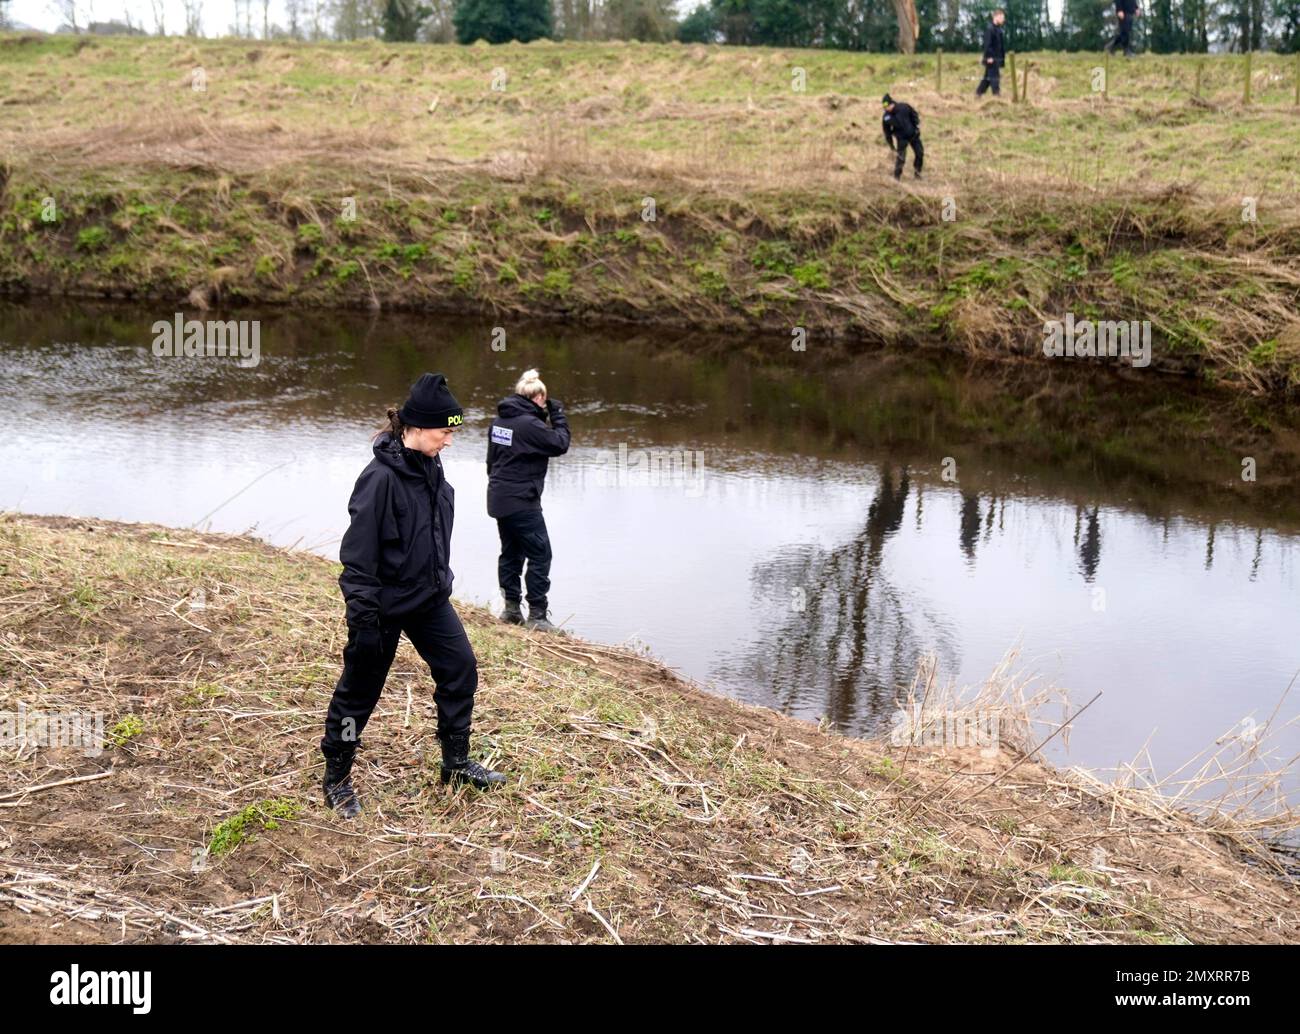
396, 553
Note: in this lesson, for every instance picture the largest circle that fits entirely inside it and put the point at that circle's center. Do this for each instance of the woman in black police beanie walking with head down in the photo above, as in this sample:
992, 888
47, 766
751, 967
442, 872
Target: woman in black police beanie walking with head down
397, 579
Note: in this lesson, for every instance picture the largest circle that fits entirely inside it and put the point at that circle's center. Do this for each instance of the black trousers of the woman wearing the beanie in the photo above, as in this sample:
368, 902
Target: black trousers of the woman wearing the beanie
441, 642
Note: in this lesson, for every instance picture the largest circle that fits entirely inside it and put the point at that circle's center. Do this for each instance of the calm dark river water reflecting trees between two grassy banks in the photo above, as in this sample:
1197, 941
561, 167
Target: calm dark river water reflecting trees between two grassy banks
785, 530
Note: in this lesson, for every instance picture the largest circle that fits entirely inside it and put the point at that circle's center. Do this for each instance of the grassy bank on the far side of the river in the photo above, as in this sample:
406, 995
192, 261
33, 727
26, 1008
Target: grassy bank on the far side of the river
773, 209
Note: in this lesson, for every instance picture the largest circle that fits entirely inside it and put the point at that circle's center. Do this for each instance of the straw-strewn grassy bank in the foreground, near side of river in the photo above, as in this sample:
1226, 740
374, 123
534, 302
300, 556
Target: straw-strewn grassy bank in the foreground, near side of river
639, 808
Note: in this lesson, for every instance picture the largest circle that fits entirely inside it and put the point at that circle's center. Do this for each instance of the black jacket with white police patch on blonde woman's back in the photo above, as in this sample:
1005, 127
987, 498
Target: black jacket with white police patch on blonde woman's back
519, 449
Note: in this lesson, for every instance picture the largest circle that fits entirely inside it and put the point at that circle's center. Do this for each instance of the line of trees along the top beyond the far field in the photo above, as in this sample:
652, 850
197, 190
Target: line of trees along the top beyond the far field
1165, 27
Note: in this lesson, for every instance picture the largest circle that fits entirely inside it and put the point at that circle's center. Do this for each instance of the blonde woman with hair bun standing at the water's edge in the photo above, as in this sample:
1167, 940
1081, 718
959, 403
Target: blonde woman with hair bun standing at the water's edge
519, 449
